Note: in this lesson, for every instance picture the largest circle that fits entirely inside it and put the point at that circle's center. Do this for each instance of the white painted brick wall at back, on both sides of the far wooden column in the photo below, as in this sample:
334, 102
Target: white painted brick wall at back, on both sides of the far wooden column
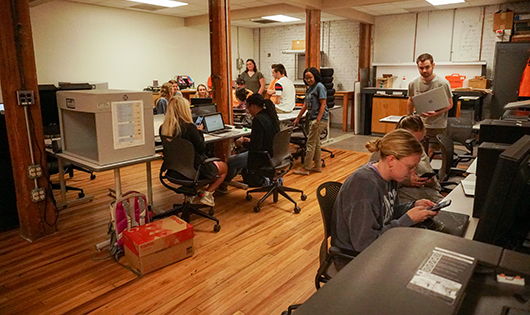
339, 42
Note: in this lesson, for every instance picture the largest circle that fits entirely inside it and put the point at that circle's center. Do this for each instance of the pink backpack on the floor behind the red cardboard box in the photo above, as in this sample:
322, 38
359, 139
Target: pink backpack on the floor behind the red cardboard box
127, 211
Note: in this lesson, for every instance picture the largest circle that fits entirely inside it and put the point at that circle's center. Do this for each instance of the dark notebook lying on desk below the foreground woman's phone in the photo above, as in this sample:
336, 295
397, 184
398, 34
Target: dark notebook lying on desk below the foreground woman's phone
447, 222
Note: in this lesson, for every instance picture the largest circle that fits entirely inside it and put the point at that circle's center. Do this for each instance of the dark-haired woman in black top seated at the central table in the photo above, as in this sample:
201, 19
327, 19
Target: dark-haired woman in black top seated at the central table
265, 126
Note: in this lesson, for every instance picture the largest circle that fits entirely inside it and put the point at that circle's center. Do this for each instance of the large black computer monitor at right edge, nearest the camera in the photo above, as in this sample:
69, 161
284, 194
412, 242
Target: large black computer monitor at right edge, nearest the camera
505, 217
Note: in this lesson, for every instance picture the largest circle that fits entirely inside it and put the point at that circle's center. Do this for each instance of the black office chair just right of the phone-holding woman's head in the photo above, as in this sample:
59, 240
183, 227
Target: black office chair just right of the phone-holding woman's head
449, 173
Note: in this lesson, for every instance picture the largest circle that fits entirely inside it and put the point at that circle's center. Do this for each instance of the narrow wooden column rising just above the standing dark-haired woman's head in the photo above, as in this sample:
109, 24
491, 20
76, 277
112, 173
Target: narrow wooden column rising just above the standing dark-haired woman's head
312, 38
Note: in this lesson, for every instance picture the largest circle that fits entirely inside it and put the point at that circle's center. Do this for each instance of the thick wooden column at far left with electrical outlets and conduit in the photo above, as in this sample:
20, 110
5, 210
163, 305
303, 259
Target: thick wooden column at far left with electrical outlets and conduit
18, 73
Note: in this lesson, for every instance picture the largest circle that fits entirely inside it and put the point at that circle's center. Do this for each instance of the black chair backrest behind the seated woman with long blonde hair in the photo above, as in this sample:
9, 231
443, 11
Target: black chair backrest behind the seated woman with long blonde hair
179, 156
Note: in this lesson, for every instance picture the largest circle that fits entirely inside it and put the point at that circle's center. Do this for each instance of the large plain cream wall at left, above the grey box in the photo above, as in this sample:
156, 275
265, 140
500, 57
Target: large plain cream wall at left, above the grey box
79, 42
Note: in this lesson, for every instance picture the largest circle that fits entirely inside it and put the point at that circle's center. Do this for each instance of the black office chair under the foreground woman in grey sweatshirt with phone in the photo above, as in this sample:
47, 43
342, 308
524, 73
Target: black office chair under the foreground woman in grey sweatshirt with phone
326, 195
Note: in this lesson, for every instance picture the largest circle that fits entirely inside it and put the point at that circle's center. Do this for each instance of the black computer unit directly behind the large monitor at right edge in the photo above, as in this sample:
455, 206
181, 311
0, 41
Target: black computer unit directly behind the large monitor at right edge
487, 158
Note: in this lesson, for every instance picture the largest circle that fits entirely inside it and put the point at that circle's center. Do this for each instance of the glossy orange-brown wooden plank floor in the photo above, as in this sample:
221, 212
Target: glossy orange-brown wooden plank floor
259, 263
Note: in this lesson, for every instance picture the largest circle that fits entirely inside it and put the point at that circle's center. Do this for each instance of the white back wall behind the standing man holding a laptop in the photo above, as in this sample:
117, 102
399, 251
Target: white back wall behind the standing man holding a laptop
455, 35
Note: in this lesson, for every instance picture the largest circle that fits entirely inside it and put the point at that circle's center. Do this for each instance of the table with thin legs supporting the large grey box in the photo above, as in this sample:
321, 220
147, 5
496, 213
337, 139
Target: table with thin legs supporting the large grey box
61, 157
